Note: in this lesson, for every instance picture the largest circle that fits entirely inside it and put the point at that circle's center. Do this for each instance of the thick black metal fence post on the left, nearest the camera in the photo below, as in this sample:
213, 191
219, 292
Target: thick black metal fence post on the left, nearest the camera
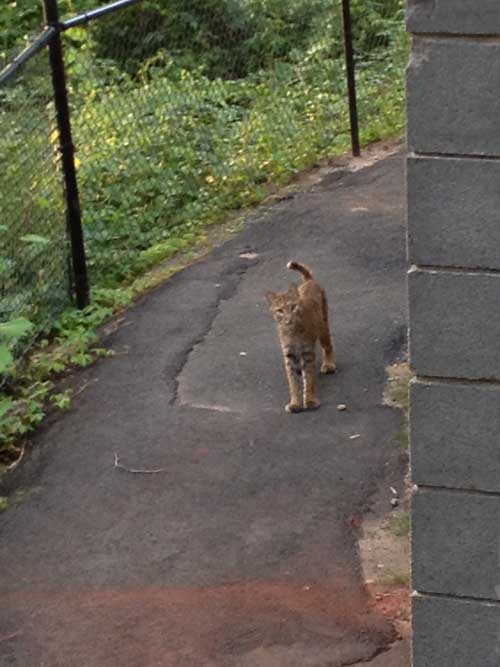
73, 212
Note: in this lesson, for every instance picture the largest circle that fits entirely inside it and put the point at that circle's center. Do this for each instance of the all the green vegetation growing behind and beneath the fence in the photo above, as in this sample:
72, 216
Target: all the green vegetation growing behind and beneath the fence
183, 110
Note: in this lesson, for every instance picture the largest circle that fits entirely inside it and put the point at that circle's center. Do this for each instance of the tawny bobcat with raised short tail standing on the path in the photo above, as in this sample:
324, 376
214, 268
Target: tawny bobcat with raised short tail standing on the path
302, 317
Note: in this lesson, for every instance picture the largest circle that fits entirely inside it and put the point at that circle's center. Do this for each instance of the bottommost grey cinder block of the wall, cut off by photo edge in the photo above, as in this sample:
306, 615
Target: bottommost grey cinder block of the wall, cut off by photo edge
455, 633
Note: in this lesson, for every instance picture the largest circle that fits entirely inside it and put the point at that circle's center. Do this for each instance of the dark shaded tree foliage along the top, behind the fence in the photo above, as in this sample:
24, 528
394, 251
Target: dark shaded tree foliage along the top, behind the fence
229, 38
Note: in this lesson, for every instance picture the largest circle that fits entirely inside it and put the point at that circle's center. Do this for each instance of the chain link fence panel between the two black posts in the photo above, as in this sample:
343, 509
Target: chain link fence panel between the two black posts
182, 115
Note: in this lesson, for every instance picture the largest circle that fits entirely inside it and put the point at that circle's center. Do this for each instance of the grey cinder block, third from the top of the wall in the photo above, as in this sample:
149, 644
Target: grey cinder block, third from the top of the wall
454, 212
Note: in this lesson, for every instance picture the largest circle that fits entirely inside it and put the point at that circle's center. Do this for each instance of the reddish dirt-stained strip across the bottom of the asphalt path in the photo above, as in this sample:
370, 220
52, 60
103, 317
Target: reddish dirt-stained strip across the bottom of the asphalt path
188, 627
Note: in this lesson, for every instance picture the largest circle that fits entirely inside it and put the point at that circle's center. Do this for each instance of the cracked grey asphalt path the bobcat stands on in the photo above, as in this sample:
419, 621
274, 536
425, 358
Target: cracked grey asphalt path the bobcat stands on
241, 550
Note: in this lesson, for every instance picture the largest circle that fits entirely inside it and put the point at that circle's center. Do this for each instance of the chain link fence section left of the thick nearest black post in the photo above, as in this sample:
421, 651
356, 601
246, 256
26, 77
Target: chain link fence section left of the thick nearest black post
34, 278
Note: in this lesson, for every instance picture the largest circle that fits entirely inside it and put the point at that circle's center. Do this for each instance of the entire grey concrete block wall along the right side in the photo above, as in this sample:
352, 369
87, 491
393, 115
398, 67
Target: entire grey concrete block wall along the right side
453, 174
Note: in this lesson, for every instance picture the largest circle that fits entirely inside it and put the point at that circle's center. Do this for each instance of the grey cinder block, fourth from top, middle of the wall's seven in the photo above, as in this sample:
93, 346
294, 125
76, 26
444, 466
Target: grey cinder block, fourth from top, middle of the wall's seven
455, 324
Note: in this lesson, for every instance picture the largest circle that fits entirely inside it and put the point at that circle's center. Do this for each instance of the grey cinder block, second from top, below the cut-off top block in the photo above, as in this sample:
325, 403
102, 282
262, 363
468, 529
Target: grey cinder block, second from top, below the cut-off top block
453, 102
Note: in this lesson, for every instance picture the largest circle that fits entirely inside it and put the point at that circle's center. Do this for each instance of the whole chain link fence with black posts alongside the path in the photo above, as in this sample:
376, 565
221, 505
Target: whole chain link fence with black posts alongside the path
156, 127
